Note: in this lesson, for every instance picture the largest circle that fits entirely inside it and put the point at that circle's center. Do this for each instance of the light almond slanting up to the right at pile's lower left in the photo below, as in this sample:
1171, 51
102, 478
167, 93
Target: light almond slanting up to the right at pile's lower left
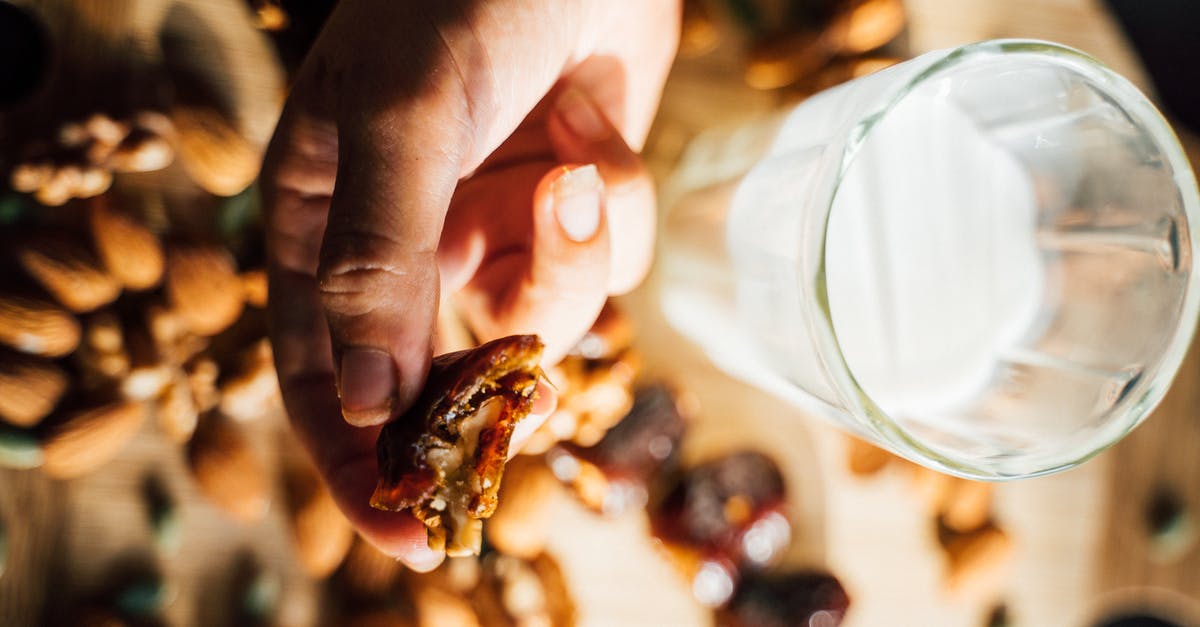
89, 439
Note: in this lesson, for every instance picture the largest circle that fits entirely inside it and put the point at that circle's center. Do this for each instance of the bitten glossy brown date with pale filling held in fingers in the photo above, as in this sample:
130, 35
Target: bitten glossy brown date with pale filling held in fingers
445, 458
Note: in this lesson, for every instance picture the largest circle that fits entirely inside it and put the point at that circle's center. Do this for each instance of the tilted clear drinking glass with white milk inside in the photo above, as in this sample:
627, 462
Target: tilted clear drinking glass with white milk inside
981, 260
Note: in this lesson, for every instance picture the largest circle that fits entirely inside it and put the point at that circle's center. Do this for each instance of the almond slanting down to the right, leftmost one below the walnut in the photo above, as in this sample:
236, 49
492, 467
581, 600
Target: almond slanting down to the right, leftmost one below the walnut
69, 272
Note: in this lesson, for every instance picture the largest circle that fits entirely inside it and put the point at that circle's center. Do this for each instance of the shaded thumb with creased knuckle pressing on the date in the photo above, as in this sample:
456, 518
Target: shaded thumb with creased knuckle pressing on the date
377, 273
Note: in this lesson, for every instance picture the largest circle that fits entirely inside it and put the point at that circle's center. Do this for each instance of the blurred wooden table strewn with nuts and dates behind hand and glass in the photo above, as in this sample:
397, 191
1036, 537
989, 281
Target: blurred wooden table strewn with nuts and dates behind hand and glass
148, 476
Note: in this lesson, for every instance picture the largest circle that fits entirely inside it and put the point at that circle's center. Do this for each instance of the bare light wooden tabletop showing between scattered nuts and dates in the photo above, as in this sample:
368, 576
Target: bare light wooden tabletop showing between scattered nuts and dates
1081, 538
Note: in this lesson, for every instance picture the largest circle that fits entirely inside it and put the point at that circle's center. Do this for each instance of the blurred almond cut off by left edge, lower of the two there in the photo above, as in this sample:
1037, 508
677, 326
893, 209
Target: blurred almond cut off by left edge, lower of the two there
29, 389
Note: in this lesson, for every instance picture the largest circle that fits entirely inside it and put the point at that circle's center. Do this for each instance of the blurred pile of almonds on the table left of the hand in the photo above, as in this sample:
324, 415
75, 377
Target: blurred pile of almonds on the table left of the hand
111, 324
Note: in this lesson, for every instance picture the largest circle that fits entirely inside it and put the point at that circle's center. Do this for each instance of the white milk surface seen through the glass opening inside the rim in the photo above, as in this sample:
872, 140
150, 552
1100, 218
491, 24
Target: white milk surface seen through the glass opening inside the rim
932, 279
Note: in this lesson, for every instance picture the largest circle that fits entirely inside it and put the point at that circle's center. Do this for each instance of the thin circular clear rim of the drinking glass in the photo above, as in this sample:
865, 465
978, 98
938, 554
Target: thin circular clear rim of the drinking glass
1147, 393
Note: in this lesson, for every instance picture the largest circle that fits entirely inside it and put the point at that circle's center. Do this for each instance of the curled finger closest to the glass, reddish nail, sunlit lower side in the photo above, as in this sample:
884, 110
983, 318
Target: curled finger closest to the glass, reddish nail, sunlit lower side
581, 134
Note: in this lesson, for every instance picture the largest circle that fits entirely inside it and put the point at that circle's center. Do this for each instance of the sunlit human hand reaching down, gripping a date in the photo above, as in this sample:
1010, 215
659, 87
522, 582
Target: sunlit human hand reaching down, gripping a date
439, 153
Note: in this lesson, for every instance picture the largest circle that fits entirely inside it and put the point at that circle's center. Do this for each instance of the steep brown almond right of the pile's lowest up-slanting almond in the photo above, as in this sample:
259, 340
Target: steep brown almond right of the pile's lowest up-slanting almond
227, 470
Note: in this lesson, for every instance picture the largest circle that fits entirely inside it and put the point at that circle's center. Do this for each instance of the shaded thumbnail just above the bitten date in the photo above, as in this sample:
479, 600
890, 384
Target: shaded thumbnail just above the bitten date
368, 386
